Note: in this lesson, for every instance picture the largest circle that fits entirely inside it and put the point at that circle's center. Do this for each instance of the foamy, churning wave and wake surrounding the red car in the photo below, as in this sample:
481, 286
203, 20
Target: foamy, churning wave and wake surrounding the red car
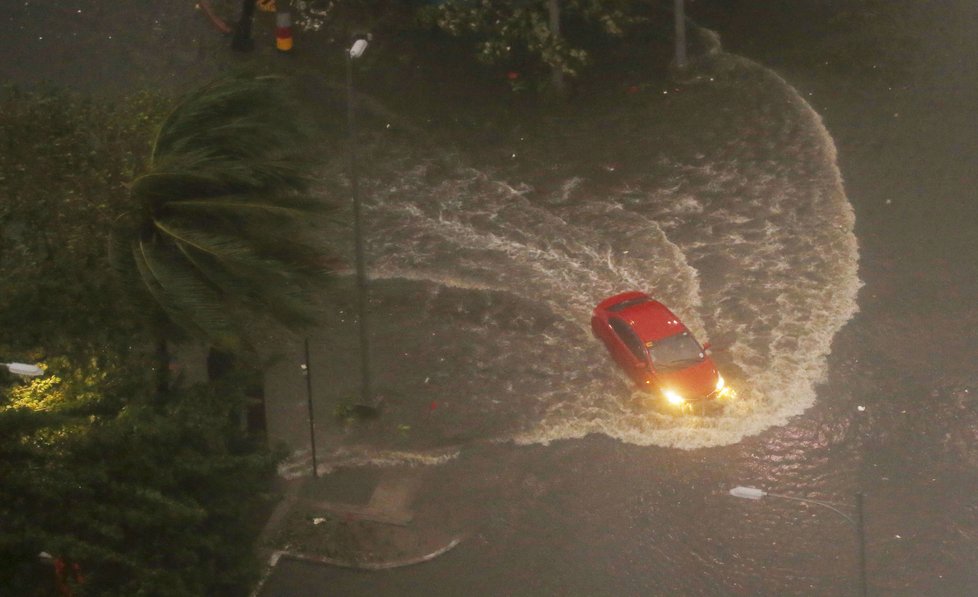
749, 239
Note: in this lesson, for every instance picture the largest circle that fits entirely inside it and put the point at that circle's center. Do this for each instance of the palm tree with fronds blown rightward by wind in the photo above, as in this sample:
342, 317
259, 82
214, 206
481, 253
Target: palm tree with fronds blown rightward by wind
218, 239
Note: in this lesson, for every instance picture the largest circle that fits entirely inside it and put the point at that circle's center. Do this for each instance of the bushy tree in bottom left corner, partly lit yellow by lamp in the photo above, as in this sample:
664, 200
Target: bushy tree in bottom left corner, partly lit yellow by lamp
146, 499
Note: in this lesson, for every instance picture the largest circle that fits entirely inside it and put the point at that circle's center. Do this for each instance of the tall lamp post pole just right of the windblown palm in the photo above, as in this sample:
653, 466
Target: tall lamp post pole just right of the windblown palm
358, 236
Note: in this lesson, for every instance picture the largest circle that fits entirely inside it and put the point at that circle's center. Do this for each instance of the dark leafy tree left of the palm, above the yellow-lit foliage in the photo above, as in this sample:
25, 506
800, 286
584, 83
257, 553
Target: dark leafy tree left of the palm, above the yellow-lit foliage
64, 165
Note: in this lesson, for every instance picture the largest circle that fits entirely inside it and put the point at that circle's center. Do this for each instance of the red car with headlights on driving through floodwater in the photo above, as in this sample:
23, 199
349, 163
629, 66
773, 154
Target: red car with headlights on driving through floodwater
656, 350
